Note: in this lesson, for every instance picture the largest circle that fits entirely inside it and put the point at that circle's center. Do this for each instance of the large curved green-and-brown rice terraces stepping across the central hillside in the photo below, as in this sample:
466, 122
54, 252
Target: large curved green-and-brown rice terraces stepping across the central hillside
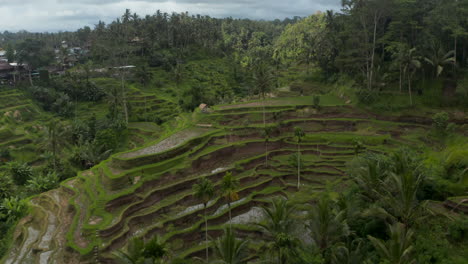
148, 191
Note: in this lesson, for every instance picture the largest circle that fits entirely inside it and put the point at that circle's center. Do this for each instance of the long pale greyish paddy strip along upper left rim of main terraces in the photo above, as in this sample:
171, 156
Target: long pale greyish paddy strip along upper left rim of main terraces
168, 143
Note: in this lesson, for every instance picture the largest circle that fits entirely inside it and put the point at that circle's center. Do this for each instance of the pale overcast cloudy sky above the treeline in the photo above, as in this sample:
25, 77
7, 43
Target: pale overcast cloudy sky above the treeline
56, 15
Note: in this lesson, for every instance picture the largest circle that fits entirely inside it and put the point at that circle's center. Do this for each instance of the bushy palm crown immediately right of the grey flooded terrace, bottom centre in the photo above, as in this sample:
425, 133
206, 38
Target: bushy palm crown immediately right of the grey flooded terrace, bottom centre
278, 225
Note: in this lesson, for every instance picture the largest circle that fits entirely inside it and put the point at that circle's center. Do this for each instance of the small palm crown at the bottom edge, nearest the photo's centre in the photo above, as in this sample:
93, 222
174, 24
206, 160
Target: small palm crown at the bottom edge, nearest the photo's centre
230, 250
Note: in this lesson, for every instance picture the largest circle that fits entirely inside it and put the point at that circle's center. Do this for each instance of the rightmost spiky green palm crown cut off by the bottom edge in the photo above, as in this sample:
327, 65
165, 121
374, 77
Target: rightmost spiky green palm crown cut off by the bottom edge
398, 249
